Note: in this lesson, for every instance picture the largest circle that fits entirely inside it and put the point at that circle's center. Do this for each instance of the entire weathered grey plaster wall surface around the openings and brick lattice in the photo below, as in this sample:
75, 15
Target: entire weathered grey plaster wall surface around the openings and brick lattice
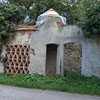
53, 32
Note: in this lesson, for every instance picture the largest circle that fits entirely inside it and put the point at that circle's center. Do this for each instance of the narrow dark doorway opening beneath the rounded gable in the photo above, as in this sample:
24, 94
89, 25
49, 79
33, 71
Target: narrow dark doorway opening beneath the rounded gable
51, 60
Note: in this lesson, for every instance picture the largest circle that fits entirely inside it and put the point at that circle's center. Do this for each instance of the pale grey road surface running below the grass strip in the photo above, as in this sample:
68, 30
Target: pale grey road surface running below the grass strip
15, 93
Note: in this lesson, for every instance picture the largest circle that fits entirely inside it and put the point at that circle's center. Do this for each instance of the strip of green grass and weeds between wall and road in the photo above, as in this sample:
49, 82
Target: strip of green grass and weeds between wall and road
71, 82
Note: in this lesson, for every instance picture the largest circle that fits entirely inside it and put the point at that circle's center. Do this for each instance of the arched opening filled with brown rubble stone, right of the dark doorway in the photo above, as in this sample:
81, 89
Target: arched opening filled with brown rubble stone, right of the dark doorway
72, 56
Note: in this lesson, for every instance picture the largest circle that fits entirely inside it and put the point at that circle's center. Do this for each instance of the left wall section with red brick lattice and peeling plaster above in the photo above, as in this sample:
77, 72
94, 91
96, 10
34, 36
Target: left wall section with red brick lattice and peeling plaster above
17, 50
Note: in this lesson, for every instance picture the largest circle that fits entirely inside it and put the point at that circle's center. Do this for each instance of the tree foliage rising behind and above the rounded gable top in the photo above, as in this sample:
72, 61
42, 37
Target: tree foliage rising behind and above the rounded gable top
40, 6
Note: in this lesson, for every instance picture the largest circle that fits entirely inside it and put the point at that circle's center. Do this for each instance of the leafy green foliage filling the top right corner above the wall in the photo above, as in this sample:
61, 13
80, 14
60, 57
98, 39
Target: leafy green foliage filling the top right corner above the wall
88, 15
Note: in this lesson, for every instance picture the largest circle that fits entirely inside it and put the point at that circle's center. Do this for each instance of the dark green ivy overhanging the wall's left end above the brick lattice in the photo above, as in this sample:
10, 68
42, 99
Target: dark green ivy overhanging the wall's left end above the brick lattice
10, 15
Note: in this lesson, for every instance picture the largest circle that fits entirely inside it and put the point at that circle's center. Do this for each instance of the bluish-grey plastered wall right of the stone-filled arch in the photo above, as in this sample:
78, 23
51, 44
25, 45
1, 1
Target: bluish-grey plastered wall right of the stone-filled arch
91, 61
